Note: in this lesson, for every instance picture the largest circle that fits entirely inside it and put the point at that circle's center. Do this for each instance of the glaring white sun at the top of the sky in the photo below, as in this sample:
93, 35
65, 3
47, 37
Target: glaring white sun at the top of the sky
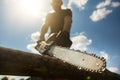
32, 7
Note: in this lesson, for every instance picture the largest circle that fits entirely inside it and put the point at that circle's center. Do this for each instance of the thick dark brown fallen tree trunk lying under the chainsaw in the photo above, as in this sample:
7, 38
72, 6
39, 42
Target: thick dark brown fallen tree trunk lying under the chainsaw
16, 62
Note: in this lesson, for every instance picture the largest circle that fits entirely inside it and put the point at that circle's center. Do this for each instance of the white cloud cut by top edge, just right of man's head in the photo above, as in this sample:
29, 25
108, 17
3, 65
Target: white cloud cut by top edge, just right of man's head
79, 3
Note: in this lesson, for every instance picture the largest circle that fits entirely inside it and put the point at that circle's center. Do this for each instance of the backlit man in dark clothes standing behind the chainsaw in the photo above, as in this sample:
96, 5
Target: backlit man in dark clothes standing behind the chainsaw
60, 24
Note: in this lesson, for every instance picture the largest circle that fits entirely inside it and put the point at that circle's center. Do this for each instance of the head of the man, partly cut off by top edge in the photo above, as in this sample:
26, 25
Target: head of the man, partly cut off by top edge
56, 4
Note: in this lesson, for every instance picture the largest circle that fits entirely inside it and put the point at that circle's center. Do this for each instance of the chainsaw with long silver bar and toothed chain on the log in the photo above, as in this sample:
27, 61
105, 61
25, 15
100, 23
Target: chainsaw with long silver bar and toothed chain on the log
82, 60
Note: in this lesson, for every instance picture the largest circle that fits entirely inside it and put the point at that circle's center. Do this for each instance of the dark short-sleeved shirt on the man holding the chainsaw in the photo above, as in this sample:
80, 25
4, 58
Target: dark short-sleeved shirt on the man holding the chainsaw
56, 20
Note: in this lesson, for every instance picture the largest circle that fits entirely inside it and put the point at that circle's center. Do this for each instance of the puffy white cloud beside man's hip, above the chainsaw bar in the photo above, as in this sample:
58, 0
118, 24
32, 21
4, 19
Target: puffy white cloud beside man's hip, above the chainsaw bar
80, 42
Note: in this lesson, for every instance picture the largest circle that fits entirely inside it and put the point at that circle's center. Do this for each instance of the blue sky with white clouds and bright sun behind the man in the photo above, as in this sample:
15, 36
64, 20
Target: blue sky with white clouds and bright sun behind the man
95, 27
